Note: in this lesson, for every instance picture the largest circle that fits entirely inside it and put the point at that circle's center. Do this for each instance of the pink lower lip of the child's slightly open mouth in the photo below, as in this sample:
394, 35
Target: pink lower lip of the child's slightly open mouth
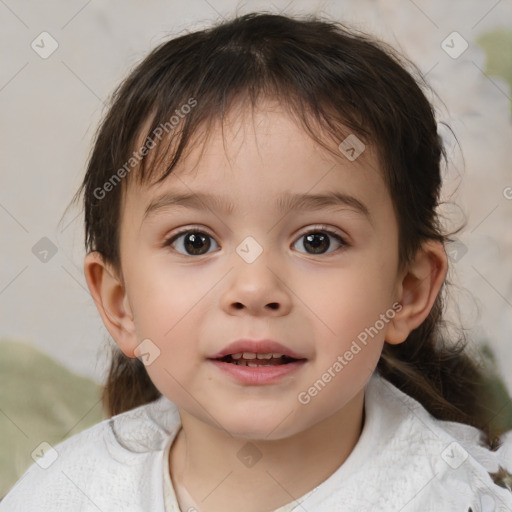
258, 375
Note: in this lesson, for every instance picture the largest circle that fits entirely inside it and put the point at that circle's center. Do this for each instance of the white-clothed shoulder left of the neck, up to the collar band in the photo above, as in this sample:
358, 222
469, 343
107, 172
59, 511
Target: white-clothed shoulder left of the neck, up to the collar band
104, 467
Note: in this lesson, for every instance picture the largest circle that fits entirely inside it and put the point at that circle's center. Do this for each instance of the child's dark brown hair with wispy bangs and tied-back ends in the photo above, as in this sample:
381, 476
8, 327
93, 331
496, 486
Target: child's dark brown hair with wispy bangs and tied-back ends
334, 81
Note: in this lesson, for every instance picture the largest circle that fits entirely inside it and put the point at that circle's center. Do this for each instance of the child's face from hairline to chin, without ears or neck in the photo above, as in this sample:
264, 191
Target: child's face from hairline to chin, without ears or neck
312, 295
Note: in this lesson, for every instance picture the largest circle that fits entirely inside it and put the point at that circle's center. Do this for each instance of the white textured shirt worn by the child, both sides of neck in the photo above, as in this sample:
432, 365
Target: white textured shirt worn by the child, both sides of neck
405, 460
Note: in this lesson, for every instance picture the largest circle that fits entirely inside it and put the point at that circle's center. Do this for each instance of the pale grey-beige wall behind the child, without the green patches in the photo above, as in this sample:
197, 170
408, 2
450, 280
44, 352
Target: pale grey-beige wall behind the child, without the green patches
51, 108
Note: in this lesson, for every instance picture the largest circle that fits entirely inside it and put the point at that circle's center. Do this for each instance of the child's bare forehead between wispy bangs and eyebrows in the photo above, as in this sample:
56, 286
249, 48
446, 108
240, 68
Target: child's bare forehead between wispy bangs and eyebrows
253, 157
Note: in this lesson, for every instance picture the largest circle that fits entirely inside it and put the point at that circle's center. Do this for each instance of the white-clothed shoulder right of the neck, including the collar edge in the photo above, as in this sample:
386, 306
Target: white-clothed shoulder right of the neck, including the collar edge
408, 460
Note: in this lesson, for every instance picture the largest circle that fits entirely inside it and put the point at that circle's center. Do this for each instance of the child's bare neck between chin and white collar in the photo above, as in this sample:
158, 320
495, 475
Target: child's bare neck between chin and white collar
222, 473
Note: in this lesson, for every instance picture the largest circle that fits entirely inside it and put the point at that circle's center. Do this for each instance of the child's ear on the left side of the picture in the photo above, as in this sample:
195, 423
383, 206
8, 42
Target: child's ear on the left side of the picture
109, 294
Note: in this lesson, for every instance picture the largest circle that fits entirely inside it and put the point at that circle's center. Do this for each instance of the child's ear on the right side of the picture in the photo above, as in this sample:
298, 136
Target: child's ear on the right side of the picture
418, 288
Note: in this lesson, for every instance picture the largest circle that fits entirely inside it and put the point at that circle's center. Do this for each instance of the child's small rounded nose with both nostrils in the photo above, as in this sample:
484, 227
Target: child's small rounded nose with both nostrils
256, 289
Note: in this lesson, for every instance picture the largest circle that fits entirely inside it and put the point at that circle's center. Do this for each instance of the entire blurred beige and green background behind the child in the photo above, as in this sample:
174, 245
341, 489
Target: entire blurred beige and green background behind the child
59, 65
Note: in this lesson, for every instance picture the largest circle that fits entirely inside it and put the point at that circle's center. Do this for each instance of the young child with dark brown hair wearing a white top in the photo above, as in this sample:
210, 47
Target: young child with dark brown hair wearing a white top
263, 247
